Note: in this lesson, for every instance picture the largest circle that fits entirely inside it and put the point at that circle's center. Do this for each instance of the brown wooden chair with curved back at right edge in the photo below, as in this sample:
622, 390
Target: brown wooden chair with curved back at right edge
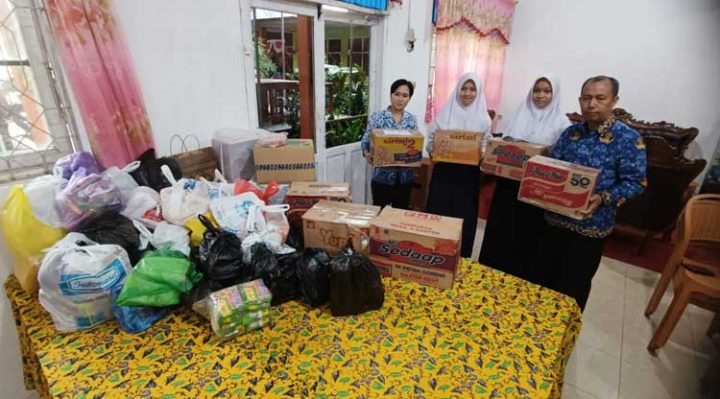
694, 266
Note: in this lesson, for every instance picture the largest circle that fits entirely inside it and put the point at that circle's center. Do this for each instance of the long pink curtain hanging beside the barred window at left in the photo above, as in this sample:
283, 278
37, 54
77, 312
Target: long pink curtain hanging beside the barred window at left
95, 57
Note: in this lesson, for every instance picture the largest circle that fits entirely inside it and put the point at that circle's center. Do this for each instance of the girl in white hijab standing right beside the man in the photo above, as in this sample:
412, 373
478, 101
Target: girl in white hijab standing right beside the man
513, 227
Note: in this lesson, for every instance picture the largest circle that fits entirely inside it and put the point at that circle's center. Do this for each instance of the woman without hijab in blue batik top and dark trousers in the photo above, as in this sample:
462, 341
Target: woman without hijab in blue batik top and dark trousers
391, 185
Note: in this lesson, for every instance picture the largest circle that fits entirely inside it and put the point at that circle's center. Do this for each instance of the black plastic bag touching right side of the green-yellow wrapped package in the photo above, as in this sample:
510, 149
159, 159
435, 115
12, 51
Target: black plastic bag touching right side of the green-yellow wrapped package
278, 273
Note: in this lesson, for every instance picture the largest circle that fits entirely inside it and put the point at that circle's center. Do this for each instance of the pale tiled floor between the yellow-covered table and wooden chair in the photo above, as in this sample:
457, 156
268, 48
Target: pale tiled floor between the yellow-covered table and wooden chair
610, 360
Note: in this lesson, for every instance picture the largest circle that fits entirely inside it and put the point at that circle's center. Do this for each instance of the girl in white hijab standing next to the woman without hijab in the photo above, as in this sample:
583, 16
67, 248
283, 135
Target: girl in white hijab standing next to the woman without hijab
455, 189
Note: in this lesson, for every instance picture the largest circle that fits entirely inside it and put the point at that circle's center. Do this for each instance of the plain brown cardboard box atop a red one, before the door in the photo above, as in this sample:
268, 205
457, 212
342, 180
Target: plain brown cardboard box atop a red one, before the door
292, 162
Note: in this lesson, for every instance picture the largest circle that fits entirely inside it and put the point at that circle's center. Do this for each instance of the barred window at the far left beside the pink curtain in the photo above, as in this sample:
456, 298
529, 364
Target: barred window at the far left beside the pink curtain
35, 127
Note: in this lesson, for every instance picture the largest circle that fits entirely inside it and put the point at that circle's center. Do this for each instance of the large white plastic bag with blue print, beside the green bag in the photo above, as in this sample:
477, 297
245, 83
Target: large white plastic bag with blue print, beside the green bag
76, 278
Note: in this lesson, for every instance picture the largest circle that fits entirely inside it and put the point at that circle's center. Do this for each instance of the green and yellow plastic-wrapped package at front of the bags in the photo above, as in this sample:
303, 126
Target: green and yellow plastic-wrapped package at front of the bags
240, 309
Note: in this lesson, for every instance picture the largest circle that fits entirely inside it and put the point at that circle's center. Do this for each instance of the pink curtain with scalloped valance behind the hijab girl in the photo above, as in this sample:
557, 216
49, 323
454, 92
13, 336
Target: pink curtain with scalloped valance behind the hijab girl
472, 35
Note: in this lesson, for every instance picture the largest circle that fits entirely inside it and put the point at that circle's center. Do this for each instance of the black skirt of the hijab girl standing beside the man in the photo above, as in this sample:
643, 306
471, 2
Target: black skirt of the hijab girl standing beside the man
512, 233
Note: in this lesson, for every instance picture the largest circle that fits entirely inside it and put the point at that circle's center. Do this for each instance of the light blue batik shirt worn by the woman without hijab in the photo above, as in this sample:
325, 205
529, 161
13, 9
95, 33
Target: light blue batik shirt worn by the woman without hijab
383, 120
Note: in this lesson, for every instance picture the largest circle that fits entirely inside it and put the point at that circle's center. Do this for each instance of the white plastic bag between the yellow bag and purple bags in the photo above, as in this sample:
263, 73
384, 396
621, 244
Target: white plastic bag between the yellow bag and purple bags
41, 195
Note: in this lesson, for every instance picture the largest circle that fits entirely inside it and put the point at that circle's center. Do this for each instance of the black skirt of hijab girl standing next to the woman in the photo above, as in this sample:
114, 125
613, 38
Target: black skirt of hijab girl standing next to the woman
454, 191
